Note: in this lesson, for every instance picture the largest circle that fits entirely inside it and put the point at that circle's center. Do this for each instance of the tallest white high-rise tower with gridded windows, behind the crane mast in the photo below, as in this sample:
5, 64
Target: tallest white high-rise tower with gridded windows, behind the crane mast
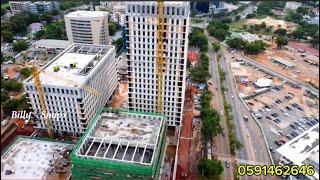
141, 37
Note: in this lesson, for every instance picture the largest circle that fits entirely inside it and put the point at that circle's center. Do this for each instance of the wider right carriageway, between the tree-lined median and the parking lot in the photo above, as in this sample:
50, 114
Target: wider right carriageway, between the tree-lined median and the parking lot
254, 149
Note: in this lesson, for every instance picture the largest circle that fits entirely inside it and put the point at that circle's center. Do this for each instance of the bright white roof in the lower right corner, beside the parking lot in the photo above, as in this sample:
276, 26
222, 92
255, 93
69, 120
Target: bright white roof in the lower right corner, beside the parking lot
303, 149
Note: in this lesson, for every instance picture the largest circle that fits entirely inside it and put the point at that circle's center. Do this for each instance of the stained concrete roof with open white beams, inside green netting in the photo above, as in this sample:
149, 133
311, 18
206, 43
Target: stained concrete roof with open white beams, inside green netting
123, 137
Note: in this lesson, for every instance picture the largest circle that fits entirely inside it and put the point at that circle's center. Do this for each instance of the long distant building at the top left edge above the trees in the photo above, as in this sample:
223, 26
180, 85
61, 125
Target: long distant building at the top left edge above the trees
34, 7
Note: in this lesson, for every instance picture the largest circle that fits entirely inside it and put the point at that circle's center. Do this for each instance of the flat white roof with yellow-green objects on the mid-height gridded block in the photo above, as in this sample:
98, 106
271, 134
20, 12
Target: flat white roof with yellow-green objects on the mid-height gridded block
84, 56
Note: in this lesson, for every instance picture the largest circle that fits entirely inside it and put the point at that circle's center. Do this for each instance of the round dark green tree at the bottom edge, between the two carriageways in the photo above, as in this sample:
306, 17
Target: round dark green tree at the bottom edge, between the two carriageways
211, 169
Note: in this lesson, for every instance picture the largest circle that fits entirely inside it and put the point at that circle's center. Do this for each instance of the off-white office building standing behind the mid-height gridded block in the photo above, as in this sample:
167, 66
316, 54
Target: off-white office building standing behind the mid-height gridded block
89, 27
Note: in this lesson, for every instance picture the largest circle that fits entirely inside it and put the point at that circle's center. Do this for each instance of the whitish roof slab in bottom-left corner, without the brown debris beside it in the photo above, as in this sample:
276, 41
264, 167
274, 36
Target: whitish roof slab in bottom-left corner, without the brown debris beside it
30, 158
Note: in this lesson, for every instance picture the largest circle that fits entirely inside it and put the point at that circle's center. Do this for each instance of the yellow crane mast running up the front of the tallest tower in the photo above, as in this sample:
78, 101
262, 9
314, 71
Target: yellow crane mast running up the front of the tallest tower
160, 58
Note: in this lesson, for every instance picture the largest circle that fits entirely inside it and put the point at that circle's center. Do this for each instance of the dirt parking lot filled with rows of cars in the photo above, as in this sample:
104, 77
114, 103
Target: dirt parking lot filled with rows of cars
284, 113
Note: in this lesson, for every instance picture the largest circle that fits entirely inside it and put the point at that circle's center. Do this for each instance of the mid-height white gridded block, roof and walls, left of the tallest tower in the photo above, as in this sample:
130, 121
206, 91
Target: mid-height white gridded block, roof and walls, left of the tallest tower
76, 83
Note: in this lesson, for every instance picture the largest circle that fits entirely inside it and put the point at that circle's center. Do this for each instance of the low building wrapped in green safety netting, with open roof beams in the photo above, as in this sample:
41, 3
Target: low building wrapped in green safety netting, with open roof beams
120, 144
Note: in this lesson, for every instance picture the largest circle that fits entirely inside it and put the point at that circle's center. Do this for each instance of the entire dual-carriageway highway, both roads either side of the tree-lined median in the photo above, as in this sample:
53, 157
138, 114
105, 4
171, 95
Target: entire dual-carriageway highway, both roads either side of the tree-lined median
254, 150
